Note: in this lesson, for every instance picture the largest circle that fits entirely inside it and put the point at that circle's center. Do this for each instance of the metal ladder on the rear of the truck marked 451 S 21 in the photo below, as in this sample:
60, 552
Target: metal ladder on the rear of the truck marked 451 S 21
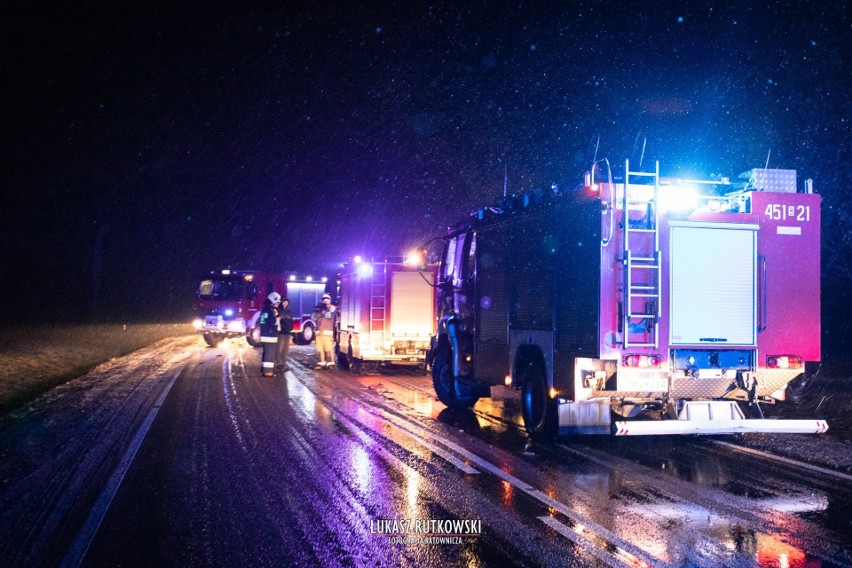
641, 258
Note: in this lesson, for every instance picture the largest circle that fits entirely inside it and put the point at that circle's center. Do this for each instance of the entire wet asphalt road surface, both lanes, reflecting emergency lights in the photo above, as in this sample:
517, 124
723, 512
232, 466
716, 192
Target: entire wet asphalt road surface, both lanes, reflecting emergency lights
305, 469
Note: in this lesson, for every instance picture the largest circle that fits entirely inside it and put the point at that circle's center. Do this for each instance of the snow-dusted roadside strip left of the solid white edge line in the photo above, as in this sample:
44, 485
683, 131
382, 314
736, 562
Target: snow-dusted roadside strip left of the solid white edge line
58, 451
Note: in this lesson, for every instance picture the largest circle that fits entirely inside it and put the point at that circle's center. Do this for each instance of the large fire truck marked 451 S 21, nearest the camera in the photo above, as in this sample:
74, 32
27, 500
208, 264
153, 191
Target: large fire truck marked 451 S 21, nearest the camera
638, 305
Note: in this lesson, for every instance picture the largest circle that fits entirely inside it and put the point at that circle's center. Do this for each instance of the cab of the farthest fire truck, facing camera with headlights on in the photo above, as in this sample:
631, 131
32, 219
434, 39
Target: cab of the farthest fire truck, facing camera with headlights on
227, 300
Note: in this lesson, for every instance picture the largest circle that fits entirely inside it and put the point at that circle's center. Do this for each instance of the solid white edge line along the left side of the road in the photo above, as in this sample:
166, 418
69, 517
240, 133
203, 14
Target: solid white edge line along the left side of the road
77, 551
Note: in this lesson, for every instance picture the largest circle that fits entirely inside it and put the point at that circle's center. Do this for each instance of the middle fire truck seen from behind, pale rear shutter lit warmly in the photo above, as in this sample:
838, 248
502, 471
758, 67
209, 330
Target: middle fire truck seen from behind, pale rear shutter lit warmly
387, 311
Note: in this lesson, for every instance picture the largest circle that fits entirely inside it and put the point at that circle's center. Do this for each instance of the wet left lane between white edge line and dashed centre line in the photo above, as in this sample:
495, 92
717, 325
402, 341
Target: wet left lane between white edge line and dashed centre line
241, 470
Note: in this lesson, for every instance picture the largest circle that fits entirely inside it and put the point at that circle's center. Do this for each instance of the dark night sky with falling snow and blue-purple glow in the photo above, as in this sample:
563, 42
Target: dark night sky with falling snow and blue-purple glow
146, 145
